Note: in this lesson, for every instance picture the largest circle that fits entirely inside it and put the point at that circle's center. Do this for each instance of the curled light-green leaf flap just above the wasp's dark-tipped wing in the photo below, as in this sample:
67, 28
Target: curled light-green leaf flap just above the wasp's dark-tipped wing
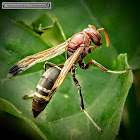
49, 29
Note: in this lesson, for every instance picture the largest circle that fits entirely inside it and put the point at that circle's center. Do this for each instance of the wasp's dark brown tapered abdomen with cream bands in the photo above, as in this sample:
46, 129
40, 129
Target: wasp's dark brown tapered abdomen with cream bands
41, 99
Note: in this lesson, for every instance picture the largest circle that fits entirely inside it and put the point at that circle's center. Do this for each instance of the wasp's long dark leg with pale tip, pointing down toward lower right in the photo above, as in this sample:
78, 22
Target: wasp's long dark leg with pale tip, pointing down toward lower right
81, 97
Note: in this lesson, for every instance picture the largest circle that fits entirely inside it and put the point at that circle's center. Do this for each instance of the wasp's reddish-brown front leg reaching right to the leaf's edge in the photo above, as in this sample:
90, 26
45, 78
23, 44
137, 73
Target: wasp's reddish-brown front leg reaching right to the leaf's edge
81, 64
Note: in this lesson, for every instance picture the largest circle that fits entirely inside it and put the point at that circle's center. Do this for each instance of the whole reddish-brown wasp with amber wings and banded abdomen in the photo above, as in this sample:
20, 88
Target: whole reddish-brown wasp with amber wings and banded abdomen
77, 47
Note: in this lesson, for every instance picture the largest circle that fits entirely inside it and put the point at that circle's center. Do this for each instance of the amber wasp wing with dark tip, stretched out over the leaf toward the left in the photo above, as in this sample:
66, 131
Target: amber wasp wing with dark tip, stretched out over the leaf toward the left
31, 60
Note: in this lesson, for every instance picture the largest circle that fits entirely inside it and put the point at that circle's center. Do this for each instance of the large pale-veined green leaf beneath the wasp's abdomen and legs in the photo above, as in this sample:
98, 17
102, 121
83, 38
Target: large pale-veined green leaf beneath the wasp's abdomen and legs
104, 98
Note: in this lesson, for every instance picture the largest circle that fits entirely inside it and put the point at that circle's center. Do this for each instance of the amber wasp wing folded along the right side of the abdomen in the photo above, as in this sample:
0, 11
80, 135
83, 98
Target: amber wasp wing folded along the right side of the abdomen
66, 68
